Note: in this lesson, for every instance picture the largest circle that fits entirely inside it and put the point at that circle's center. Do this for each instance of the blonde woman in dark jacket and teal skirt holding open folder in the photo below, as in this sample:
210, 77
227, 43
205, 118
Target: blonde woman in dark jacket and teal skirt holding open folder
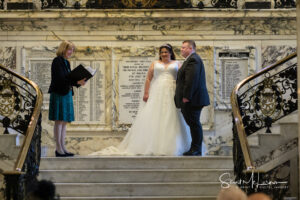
61, 109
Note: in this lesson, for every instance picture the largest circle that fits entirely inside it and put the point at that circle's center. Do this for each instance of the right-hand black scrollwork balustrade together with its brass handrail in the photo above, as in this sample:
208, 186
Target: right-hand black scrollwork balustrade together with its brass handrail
257, 102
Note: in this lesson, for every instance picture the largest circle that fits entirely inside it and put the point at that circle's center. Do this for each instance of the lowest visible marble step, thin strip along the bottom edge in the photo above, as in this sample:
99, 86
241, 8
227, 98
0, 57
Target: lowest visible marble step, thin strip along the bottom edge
144, 198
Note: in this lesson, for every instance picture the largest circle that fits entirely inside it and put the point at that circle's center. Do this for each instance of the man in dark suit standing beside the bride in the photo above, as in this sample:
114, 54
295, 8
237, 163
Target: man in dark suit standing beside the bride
191, 94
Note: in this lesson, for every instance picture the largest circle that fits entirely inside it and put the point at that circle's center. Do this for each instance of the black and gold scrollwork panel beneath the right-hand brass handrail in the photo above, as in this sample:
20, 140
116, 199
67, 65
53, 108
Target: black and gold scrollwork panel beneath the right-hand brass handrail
270, 99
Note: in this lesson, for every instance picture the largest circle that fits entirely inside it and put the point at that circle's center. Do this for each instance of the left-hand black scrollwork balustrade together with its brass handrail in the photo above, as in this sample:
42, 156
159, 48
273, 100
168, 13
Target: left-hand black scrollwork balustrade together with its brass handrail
20, 107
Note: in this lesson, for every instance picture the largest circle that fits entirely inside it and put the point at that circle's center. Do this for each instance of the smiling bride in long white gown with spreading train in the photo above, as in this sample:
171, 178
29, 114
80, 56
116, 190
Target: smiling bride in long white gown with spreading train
159, 127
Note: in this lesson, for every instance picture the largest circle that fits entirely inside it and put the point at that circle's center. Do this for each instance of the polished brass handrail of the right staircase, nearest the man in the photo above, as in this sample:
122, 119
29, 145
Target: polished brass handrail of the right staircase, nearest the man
237, 117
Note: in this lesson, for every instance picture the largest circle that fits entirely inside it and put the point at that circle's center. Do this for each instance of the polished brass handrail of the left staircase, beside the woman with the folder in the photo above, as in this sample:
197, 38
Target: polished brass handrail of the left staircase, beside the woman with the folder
31, 126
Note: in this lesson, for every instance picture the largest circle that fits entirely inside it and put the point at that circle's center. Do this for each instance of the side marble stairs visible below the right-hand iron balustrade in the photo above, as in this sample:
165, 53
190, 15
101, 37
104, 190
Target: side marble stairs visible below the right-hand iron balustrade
279, 151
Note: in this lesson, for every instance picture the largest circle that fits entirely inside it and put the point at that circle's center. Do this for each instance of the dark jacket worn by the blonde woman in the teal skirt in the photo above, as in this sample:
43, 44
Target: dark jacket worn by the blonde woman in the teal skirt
60, 83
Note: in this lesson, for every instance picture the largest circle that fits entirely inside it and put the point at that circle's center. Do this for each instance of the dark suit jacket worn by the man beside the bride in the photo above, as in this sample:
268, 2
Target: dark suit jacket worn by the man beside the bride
191, 83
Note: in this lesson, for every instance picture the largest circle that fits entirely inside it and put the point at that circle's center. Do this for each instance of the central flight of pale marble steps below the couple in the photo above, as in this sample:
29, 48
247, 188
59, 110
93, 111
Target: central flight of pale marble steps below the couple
137, 178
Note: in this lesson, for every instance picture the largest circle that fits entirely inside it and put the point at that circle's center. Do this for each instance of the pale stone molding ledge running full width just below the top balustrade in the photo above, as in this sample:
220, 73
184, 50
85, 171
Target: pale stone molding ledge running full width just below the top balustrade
149, 13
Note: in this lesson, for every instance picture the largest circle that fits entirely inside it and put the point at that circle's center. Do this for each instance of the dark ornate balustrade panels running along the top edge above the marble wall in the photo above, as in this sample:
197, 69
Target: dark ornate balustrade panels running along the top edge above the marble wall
150, 4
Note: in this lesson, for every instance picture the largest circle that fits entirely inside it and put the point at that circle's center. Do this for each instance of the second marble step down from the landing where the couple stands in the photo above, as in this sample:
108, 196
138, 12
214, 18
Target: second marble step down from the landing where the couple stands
134, 176
